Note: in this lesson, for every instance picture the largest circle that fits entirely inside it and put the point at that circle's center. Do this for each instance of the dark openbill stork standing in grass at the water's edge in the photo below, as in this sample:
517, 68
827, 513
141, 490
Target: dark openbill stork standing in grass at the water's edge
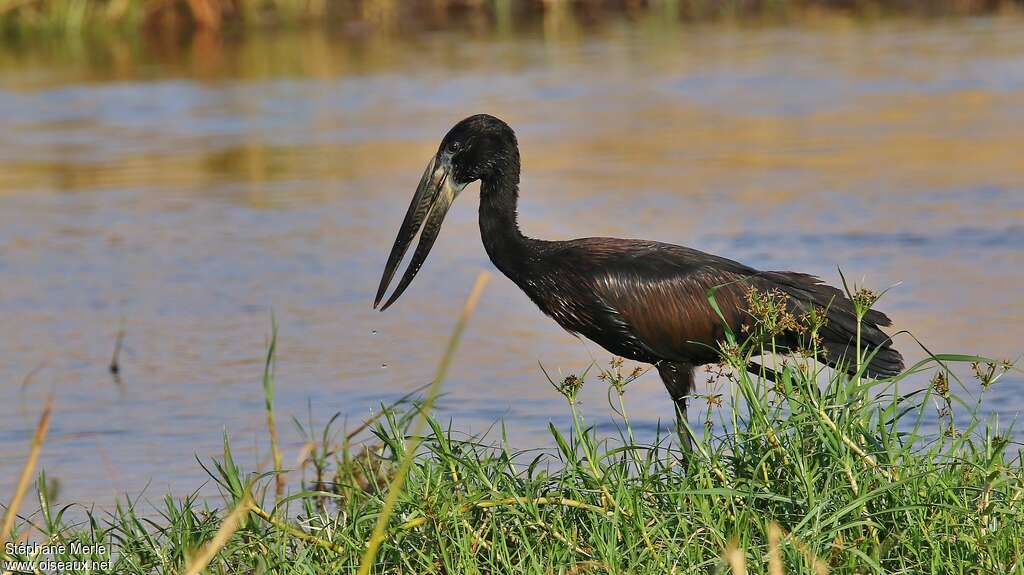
643, 300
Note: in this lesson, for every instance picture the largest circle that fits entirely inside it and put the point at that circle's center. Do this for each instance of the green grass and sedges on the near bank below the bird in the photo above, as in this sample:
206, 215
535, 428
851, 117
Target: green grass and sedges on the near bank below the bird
820, 473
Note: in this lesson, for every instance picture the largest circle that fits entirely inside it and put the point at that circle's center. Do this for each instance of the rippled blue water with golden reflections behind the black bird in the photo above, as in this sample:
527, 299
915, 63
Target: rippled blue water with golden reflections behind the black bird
193, 194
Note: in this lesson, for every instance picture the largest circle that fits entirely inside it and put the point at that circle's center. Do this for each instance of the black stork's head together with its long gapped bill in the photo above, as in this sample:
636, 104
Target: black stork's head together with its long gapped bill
480, 148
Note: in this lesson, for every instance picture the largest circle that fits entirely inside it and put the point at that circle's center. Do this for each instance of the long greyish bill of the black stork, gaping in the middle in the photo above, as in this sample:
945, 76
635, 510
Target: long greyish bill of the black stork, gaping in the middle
432, 202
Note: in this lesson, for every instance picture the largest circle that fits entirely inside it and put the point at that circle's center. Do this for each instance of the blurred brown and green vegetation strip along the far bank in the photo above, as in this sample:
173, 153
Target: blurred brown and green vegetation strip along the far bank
389, 15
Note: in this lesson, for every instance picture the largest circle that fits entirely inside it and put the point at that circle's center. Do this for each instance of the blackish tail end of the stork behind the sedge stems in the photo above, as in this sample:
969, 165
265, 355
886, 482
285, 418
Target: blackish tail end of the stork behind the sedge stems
839, 335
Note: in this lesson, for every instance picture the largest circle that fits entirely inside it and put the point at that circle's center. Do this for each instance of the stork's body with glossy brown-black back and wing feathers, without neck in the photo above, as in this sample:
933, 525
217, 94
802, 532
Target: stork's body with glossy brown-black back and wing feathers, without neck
649, 301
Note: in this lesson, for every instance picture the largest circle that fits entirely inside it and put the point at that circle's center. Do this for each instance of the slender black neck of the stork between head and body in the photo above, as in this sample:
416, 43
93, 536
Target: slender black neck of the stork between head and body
507, 247
